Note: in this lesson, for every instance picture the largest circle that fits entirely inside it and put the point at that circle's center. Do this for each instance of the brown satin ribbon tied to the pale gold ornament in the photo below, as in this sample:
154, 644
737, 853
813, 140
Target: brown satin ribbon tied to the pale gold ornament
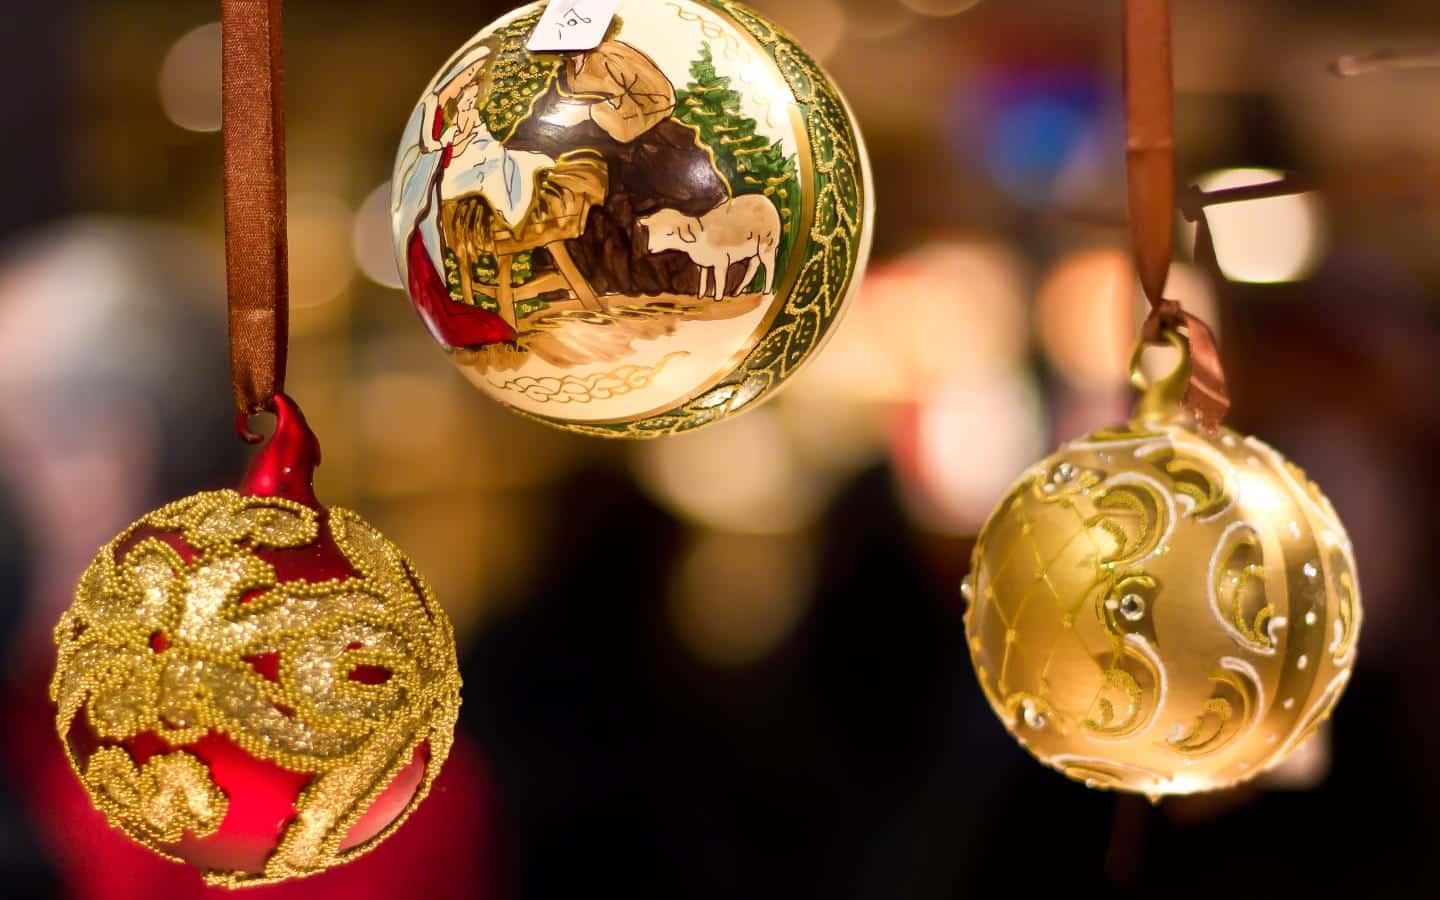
1150, 114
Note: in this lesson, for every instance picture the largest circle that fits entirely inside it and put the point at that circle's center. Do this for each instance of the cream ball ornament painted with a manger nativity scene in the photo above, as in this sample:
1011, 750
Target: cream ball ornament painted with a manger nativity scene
634, 240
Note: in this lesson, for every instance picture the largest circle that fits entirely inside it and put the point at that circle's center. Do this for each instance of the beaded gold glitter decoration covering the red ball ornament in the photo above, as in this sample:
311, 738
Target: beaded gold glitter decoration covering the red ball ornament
214, 614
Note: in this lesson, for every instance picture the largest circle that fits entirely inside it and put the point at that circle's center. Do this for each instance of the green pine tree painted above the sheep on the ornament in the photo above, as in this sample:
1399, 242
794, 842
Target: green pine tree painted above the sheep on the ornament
750, 162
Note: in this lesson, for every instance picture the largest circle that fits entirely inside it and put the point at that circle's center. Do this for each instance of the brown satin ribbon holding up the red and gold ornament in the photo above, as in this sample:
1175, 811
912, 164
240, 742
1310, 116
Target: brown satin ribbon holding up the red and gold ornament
256, 256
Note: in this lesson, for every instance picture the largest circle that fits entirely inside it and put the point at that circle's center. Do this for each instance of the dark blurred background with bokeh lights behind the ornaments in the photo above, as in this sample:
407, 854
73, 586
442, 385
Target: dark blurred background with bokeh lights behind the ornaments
751, 683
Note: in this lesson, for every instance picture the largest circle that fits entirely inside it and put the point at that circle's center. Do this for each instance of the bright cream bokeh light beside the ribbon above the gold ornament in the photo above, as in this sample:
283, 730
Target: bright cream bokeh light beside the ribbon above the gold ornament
1268, 241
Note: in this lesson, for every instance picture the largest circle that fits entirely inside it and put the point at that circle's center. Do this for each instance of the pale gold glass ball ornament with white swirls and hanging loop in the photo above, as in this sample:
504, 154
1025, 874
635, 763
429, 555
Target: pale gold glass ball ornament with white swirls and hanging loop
1163, 610
